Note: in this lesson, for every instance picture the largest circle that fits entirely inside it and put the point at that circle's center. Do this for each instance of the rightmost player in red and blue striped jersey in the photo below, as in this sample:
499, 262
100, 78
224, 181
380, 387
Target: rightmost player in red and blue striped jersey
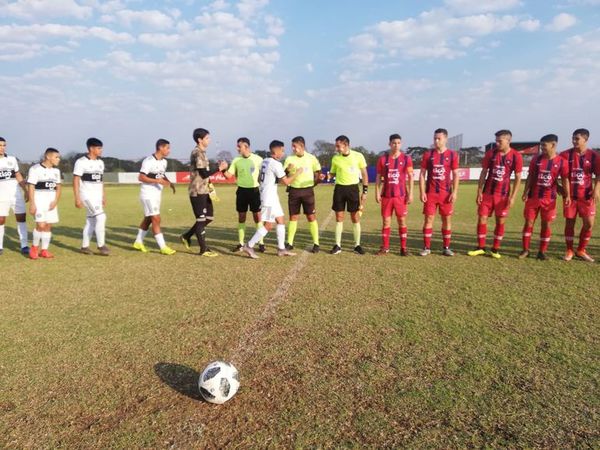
584, 165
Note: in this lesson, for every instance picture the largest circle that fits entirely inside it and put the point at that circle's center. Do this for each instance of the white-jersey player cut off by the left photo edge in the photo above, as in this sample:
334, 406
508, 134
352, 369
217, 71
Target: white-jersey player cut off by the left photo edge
11, 197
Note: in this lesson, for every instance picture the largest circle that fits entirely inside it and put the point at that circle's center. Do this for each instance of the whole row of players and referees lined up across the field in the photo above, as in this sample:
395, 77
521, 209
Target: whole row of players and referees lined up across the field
578, 169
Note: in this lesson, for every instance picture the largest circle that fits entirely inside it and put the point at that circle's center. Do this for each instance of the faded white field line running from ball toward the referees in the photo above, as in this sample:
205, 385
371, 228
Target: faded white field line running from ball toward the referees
247, 341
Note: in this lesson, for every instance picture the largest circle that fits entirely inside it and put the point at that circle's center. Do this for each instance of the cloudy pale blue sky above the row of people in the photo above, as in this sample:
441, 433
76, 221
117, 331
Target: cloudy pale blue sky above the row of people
131, 71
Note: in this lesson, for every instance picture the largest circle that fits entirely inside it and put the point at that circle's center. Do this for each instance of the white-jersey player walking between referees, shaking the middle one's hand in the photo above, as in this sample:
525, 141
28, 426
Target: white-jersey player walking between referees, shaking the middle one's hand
271, 171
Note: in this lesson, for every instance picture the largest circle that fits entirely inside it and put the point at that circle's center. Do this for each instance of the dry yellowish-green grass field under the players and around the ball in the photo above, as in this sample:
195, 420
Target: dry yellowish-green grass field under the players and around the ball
355, 351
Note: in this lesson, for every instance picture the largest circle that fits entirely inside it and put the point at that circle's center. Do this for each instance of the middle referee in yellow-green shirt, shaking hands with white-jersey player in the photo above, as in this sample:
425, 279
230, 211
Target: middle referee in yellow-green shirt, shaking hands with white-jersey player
301, 192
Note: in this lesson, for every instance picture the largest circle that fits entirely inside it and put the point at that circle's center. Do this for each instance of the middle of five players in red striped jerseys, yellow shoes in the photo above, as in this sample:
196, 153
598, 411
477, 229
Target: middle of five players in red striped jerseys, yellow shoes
494, 192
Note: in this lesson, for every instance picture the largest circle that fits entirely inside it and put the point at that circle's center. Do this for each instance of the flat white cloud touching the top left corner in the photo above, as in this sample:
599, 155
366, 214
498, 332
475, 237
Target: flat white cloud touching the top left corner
44, 9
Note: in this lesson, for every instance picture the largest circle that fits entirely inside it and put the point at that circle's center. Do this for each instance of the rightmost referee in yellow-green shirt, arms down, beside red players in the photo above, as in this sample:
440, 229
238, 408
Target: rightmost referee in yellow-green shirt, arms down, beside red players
349, 168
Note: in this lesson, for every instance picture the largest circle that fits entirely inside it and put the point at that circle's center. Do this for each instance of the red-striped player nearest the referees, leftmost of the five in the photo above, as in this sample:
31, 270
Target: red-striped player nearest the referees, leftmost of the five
394, 191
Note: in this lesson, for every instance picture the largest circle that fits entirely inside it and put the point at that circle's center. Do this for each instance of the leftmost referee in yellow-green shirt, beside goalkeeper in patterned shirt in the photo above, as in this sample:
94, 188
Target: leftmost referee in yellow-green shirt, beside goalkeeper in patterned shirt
246, 168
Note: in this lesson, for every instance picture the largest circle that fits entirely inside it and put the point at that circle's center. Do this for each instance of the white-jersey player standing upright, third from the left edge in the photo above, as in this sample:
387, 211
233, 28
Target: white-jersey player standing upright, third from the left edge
88, 190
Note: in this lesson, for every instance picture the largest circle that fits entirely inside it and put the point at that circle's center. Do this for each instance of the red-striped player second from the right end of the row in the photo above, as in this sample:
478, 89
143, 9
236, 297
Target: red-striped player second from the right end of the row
541, 191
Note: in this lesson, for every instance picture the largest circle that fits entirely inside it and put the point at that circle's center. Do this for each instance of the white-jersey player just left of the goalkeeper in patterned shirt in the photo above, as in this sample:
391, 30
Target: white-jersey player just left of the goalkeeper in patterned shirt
153, 179
